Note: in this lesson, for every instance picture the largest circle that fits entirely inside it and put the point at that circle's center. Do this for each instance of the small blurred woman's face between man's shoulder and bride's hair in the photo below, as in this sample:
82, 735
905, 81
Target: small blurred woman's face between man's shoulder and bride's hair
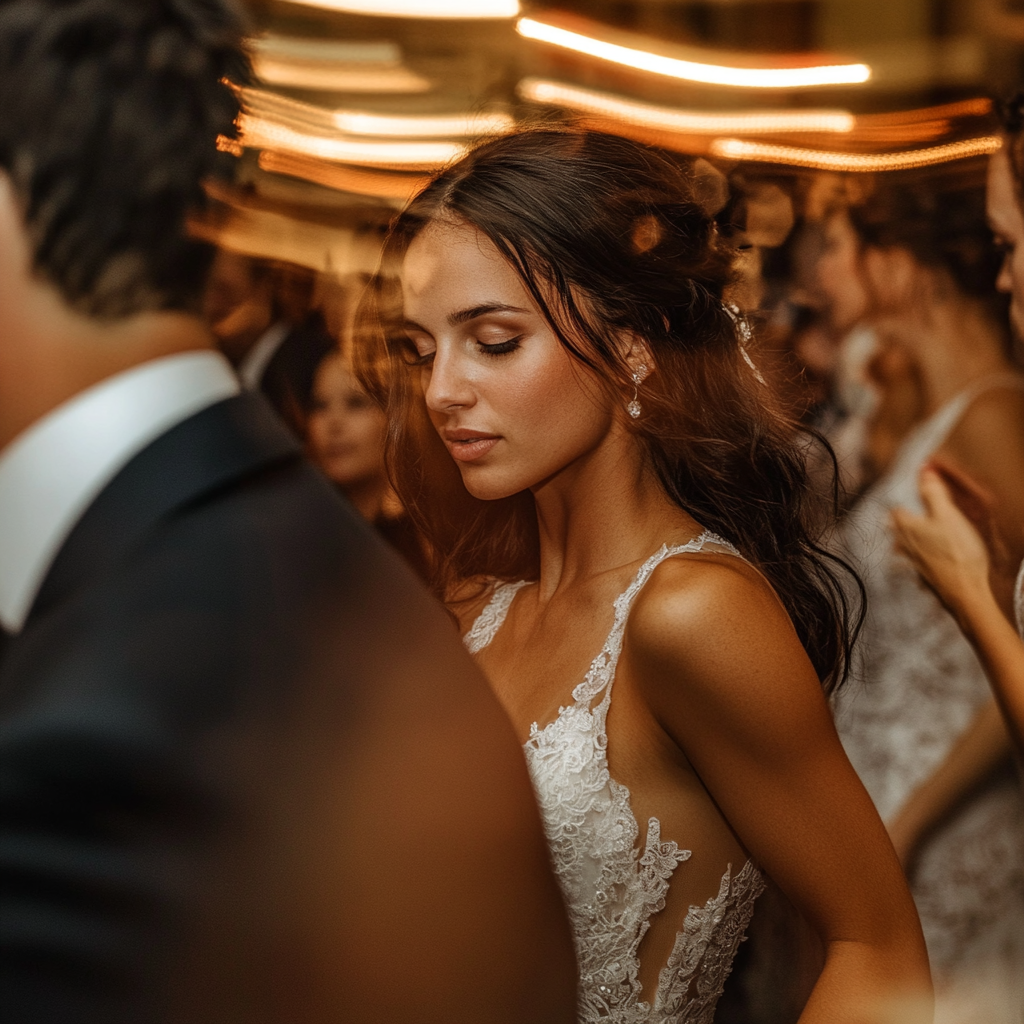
347, 429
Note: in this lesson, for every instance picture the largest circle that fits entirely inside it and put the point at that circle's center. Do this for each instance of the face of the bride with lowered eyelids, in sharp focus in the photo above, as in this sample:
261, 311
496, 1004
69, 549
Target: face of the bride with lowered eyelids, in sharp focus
511, 405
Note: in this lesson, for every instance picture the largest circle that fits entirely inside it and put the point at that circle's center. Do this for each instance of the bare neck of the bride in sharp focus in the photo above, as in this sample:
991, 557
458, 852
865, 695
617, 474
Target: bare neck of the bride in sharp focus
605, 511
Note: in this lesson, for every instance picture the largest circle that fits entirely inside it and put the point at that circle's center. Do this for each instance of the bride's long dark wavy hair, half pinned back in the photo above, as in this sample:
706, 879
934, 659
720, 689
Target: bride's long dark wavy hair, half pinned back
610, 237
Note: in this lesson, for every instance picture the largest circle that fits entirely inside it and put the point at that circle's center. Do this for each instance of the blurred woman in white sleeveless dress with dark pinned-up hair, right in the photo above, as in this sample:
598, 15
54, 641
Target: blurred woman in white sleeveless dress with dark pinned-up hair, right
920, 724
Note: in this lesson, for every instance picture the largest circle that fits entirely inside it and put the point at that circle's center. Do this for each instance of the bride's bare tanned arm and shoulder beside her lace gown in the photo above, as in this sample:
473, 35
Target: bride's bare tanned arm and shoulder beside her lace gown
726, 674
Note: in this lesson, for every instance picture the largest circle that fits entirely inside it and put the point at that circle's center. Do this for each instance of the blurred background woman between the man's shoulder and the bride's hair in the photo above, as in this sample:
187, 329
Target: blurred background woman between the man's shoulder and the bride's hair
346, 433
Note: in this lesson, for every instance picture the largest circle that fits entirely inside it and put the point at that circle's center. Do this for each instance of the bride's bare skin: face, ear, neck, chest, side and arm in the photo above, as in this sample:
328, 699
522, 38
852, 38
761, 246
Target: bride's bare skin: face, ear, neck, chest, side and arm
719, 727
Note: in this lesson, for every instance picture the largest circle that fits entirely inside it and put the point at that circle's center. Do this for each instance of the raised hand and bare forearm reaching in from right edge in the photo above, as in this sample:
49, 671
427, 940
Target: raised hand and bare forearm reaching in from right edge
951, 556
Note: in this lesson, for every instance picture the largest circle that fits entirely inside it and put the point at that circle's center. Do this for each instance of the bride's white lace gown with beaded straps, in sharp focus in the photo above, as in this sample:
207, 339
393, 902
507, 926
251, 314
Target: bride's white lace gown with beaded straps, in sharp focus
612, 887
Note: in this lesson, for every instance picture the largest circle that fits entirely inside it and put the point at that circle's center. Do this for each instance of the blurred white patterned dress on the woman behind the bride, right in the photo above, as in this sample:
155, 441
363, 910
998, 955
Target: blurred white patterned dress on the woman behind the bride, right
917, 687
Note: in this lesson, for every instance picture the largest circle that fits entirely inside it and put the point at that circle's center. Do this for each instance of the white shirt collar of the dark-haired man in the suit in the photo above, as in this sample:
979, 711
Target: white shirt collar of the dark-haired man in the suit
52, 473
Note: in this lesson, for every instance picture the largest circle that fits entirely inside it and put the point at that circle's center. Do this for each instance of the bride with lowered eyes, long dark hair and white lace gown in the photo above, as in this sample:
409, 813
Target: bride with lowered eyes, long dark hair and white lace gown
617, 514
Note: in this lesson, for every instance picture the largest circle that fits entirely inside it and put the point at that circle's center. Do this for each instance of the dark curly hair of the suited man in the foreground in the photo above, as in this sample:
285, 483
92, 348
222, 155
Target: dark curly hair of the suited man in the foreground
110, 112
